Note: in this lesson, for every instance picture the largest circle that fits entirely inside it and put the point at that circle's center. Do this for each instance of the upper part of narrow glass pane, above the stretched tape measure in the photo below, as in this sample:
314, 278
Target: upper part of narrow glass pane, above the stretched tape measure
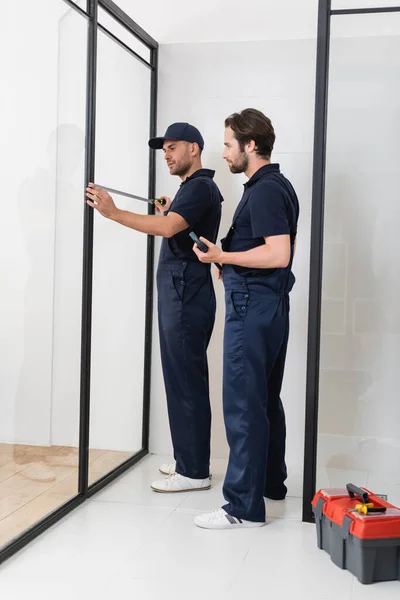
123, 119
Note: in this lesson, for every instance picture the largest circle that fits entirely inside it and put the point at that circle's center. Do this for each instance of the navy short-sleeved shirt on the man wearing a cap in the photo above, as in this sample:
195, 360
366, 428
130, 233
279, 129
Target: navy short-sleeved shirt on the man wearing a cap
198, 201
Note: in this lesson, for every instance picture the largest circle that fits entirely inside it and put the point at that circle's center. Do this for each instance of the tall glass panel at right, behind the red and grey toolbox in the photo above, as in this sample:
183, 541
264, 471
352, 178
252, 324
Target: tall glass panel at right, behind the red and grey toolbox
359, 413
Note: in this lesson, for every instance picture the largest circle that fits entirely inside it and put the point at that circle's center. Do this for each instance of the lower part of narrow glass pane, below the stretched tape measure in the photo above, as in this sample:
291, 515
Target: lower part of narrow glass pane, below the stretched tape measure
119, 298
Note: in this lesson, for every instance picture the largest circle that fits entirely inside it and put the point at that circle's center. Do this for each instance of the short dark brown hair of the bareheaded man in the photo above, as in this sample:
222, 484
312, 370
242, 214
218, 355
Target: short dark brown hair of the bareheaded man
252, 124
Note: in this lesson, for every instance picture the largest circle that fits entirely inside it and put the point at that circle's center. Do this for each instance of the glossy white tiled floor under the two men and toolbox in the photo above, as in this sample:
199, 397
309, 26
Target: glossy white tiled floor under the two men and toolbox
129, 542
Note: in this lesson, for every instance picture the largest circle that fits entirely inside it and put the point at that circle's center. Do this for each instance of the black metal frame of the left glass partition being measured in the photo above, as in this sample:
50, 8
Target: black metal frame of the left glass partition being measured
84, 490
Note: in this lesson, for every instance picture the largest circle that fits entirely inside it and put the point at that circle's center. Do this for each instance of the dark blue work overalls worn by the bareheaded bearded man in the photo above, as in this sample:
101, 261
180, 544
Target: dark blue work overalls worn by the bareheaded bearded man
255, 344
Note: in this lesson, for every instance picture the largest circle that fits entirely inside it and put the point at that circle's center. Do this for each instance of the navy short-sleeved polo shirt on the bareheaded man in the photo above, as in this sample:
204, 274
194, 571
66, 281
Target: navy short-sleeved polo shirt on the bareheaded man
269, 207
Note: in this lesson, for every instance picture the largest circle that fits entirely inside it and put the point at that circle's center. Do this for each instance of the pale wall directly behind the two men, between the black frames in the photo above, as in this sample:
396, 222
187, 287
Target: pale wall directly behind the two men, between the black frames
204, 83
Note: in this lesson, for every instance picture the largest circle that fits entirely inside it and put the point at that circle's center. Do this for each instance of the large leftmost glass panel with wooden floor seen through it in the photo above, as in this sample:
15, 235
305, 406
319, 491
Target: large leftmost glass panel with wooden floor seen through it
42, 120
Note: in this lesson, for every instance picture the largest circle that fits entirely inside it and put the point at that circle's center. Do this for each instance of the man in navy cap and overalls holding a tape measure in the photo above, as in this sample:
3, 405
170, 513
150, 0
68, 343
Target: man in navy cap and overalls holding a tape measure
186, 300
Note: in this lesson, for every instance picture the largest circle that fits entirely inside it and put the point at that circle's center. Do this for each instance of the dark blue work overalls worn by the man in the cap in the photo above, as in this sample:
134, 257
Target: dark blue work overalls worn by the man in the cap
186, 315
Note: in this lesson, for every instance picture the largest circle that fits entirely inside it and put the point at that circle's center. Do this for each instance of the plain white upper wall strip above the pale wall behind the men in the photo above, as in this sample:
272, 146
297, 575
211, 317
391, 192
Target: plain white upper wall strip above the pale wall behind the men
224, 20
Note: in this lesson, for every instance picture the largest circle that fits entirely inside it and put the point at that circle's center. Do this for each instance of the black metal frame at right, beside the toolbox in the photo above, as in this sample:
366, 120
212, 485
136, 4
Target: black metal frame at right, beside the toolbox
317, 238
